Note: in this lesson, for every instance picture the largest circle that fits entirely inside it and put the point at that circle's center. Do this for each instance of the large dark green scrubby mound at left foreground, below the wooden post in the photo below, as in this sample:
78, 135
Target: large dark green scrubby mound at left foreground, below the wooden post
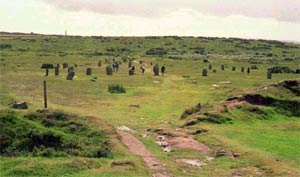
50, 134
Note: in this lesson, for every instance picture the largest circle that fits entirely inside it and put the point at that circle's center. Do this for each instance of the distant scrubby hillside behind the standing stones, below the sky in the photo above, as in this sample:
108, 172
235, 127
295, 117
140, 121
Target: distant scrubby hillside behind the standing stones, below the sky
173, 47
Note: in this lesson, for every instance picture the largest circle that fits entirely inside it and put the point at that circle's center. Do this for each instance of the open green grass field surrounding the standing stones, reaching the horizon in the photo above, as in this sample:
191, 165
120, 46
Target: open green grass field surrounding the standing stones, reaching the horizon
268, 147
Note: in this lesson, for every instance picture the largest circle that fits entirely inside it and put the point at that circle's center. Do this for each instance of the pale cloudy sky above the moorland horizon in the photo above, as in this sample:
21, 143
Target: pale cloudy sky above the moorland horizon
265, 19
